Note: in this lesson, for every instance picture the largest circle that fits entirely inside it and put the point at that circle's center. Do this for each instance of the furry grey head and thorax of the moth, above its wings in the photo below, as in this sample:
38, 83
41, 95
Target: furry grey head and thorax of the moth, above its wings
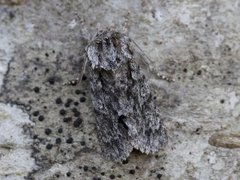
109, 50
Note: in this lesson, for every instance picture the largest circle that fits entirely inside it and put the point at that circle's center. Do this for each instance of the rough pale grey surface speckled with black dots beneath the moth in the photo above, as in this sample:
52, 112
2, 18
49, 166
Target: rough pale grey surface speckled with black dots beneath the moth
195, 42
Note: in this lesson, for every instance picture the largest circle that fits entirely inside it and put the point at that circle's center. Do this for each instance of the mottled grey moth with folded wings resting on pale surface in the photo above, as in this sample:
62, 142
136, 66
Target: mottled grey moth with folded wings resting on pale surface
126, 112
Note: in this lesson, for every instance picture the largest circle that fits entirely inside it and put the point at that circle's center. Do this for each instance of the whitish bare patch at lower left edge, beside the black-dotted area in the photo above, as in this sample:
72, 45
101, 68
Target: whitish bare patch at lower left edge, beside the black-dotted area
15, 152
